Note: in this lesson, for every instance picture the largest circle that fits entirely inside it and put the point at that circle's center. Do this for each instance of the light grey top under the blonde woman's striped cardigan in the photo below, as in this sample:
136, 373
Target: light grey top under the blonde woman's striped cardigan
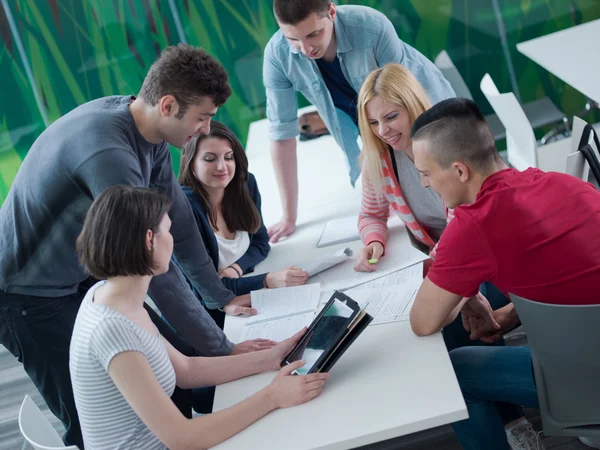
425, 204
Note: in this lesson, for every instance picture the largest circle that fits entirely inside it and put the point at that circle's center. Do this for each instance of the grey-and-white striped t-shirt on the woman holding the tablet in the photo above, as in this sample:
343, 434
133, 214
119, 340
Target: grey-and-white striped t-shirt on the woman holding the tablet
107, 420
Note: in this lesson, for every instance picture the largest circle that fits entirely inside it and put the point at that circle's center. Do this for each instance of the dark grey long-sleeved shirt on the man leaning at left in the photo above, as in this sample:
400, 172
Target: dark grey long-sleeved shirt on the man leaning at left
93, 147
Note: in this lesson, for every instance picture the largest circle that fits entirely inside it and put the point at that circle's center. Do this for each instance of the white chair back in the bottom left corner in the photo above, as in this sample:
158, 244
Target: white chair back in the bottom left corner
36, 429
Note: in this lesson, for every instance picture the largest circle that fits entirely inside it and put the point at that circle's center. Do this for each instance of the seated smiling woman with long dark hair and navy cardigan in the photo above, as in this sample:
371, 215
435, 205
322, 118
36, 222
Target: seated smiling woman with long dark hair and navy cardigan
226, 204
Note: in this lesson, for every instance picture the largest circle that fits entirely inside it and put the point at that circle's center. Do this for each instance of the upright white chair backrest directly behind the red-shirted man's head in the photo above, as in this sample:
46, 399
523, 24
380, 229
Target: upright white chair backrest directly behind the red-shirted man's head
521, 143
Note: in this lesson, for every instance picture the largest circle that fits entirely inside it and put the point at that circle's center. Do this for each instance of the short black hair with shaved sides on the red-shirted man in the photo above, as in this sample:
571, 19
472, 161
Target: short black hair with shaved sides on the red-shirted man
456, 130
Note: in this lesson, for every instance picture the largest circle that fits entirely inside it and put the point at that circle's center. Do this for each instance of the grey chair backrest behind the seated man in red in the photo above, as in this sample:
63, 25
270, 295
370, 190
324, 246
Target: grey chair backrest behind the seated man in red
564, 342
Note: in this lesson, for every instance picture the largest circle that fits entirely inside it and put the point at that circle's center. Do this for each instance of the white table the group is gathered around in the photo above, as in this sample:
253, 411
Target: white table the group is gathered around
390, 382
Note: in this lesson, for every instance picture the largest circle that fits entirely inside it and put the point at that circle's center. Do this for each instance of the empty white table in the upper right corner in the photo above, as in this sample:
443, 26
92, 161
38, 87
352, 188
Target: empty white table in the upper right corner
572, 55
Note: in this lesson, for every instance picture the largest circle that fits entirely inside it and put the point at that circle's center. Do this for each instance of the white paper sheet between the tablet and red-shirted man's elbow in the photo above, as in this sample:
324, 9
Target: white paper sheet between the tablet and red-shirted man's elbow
389, 304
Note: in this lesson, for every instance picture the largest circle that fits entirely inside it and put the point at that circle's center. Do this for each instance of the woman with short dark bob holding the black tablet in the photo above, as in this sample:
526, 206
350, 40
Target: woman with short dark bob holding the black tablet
123, 370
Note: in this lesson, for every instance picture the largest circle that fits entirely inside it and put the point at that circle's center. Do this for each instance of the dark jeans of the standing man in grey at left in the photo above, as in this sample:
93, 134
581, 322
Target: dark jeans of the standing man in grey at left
37, 331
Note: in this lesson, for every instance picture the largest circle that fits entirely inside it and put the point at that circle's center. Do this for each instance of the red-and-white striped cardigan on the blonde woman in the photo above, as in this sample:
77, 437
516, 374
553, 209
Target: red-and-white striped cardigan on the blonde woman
375, 210
